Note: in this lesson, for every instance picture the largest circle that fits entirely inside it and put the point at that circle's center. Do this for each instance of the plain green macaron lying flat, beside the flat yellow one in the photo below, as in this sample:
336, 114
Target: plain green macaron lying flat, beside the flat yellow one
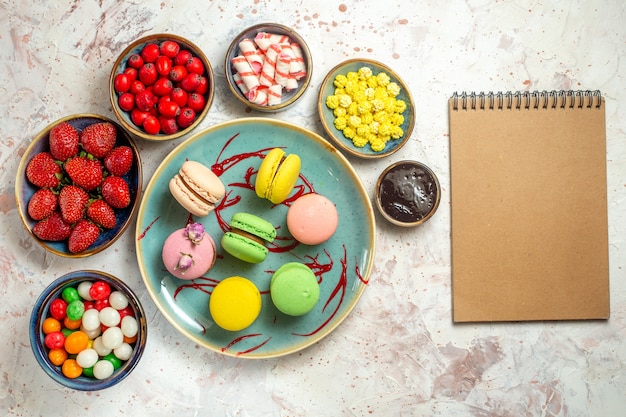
294, 289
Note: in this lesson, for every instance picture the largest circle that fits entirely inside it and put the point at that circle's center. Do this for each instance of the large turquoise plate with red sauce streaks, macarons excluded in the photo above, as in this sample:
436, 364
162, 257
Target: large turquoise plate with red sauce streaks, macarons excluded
343, 264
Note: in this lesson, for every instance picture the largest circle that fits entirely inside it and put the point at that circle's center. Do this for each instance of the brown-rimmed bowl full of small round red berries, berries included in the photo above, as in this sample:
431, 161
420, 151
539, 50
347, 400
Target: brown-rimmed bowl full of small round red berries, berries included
161, 87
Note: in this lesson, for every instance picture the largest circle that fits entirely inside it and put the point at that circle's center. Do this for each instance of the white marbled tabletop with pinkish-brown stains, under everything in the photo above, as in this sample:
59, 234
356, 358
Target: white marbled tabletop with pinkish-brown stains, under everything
398, 353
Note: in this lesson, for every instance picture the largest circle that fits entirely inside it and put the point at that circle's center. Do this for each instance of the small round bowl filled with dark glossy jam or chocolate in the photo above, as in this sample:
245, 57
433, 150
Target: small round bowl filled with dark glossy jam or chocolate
407, 193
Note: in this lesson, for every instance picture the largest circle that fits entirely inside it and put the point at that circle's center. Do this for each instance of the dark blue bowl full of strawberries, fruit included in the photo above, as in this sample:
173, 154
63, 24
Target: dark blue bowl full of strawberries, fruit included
78, 185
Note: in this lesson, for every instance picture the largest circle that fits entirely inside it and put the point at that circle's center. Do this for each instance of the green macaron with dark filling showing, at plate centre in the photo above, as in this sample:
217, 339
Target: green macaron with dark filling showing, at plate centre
247, 237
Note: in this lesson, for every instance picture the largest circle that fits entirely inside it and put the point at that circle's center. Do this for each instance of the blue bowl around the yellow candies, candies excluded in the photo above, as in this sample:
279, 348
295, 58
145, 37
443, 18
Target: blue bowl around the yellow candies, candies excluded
327, 117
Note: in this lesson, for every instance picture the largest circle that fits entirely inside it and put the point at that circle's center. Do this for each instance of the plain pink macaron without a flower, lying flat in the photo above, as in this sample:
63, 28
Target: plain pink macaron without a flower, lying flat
312, 219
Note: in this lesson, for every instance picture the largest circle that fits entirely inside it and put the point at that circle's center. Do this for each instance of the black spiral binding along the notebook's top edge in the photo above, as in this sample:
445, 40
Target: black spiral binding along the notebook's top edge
527, 100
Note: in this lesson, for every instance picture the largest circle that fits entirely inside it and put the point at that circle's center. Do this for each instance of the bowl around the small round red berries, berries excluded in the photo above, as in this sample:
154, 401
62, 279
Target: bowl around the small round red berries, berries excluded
121, 64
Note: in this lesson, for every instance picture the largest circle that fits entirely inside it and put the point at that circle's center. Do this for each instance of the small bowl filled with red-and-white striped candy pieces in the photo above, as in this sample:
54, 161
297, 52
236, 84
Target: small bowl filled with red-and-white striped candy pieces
287, 88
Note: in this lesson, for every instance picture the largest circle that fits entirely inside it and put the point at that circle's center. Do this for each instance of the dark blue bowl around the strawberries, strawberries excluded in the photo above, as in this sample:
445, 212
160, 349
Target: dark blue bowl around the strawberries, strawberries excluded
24, 190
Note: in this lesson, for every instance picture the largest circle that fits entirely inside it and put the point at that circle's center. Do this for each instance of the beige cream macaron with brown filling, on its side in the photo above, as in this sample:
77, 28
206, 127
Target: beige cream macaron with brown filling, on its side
197, 188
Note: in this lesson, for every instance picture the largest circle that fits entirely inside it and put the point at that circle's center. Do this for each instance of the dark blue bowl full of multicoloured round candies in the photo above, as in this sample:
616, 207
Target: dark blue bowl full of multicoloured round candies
88, 330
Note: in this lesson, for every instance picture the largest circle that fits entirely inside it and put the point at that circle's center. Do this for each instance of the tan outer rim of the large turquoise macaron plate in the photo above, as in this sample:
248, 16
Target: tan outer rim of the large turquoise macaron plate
140, 230
